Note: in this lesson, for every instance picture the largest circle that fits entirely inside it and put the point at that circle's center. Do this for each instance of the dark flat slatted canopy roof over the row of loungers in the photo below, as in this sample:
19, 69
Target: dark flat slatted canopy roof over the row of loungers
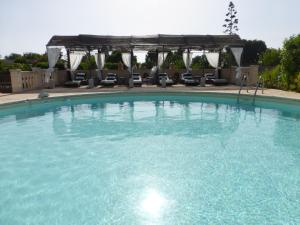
148, 42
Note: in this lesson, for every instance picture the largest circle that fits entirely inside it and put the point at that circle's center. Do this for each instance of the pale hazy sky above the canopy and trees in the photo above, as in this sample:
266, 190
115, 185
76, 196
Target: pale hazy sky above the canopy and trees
27, 25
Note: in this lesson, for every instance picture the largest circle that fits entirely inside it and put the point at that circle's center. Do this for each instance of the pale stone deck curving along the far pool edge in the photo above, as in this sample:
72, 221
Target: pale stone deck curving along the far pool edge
6, 98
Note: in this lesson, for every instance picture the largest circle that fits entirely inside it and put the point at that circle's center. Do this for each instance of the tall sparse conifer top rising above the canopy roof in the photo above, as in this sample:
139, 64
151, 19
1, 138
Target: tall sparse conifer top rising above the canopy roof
231, 20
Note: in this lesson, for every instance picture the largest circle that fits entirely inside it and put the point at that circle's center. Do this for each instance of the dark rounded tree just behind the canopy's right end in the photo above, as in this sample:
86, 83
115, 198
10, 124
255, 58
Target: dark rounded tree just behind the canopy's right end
253, 49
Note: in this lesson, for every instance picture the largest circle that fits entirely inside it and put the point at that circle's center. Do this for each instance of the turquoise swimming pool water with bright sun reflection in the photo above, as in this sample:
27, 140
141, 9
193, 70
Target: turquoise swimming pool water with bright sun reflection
176, 159
